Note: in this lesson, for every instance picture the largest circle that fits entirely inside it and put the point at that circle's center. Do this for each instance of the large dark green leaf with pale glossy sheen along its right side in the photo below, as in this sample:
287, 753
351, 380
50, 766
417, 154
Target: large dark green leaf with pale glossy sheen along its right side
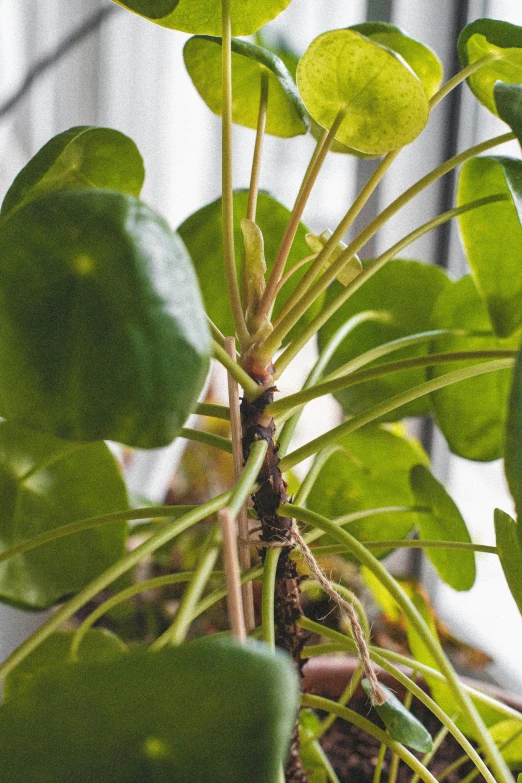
102, 331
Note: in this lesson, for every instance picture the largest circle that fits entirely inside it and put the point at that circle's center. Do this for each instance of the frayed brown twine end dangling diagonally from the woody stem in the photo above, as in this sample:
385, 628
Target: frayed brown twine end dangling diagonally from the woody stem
377, 695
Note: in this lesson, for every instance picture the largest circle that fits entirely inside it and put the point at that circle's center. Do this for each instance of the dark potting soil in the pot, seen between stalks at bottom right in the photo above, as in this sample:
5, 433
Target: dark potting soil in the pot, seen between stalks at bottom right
353, 753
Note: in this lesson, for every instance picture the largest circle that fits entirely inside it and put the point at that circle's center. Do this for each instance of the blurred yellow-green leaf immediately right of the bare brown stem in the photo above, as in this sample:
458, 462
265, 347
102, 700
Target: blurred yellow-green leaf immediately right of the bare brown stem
371, 470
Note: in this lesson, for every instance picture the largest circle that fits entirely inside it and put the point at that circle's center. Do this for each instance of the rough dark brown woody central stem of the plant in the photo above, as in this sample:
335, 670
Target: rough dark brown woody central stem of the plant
256, 425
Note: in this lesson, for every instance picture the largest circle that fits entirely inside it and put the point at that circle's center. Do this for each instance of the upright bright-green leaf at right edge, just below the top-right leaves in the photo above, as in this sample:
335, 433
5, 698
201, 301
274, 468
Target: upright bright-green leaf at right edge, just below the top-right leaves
492, 237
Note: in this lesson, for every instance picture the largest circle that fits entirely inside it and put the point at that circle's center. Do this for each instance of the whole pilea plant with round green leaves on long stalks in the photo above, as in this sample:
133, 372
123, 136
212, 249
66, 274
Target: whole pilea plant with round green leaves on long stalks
105, 336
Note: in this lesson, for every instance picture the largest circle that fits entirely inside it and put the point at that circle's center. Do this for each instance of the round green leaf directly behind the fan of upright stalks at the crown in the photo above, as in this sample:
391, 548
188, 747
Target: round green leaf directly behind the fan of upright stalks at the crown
202, 234
